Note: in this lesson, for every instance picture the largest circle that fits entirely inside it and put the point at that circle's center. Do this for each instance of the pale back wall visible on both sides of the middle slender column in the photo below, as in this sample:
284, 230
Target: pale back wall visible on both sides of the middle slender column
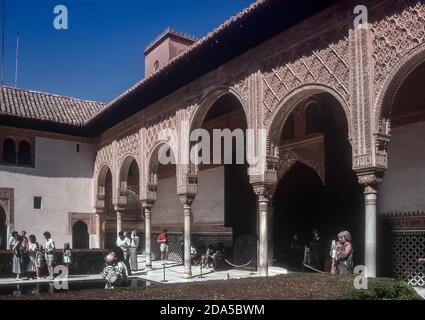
208, 206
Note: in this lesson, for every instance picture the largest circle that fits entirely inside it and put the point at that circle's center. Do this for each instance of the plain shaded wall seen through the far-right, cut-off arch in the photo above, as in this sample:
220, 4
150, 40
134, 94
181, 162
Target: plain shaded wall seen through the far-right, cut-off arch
403, 187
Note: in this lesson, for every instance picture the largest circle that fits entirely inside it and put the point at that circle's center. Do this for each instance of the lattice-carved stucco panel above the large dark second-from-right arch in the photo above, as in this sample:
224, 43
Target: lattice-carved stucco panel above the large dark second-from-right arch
323, 62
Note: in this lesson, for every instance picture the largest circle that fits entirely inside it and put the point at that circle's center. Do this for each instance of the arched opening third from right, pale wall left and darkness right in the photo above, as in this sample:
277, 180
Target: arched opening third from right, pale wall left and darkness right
225, 197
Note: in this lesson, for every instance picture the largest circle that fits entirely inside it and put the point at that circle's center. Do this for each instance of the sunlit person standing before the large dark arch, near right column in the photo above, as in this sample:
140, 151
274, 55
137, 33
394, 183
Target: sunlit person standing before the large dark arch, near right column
344, 254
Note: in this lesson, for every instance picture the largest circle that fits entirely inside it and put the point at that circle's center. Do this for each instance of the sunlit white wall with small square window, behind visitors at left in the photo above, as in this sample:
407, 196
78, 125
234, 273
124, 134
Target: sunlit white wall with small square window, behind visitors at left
63, 177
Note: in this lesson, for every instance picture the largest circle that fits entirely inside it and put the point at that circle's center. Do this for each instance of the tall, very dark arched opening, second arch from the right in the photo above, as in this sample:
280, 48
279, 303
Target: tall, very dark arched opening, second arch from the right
319, 189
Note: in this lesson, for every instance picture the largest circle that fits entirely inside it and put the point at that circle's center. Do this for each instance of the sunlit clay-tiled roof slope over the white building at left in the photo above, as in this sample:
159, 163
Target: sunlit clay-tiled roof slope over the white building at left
44, 106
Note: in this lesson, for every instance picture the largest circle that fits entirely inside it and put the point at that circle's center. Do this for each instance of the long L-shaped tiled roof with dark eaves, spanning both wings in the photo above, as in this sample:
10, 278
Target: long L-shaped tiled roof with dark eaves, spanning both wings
93, 117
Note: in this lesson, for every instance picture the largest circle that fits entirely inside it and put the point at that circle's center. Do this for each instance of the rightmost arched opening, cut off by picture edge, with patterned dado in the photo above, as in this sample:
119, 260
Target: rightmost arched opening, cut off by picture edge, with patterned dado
401, 193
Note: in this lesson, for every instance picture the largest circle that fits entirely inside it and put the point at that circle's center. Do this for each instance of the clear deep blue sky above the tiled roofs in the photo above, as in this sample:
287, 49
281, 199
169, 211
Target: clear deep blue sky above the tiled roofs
101, 54
